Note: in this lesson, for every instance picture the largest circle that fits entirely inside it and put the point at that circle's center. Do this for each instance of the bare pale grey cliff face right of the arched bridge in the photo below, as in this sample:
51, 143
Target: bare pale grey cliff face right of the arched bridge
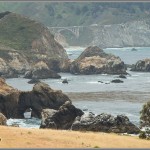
135, 33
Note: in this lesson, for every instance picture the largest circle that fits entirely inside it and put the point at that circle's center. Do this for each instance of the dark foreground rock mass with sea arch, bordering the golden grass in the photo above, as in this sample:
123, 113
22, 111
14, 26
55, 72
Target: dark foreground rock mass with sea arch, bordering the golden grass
57, 111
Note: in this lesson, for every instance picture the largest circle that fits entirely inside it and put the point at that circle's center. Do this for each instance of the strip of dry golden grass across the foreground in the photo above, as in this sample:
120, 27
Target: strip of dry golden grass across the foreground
13, 137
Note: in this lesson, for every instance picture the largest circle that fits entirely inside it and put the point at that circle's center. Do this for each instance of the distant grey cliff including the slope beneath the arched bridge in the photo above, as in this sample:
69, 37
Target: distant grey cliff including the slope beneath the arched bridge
133, 33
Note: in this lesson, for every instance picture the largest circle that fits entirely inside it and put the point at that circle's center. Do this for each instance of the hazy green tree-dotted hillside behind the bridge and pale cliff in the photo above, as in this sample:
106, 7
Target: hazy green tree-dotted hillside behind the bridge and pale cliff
79, 13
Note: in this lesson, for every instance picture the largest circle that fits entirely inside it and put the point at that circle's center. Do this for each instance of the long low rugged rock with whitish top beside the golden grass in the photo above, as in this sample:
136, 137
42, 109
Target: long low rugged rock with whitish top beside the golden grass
104, 123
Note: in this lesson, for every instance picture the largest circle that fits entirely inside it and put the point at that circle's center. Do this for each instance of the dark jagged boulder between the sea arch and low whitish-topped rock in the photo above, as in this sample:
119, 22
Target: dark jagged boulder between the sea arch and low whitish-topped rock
62, 118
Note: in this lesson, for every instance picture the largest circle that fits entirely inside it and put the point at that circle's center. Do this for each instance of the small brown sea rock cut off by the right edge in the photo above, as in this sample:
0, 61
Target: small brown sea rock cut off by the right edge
142, 65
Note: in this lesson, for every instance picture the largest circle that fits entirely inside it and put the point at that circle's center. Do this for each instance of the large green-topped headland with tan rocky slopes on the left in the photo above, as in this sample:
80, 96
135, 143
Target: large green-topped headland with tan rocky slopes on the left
25, 42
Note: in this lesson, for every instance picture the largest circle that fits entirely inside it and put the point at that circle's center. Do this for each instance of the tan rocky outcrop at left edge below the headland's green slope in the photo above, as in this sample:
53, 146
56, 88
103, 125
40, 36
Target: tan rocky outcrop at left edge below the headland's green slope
12, 63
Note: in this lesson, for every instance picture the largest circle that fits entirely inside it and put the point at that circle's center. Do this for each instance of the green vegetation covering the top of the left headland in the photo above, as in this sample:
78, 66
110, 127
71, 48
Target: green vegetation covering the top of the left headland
18, 32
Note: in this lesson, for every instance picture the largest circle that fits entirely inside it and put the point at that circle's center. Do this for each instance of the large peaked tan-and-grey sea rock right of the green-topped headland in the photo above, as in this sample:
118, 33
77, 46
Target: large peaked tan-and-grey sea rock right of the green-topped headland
94, 60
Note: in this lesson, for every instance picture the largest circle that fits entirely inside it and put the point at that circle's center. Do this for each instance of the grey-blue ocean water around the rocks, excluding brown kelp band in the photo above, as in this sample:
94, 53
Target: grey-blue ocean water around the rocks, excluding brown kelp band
135, 83
